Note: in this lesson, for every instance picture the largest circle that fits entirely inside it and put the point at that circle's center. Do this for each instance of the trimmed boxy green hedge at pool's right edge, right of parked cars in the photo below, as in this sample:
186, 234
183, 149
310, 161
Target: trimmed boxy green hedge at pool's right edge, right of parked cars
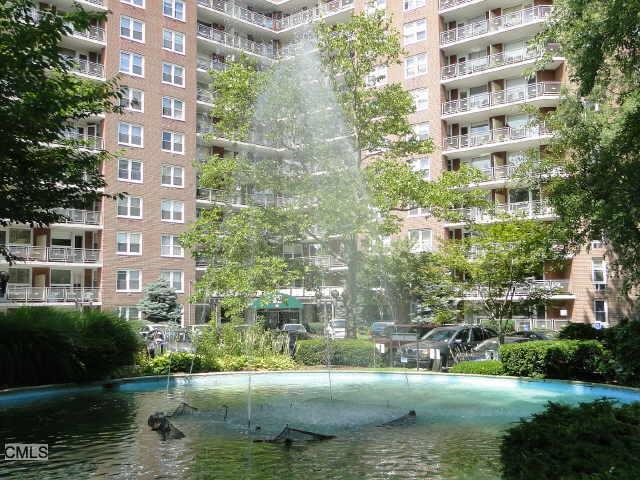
564, 359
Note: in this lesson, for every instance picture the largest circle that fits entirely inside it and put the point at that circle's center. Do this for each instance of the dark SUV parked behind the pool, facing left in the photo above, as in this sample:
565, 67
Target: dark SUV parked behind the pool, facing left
444, 342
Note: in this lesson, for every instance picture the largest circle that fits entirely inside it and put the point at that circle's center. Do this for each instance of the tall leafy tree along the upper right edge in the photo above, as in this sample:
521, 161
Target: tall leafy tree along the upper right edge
597, 127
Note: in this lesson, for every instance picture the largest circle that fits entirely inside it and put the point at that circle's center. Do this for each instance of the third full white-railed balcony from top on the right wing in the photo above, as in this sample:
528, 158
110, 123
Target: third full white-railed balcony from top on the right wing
502, 98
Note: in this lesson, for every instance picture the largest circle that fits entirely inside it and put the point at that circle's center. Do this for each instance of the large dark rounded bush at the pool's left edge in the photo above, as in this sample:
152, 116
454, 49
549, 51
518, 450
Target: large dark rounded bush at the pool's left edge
48, 345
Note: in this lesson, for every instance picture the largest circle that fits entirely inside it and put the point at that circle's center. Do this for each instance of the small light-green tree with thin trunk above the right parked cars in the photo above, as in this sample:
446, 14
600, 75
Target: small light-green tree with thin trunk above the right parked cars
497, 264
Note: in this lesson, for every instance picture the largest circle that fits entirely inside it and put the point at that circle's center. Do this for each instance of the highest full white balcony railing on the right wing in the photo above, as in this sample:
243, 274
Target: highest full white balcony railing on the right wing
495, 24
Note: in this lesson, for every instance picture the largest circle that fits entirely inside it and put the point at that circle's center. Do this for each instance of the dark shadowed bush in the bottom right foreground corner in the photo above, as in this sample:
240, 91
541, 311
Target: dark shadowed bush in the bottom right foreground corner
596, 440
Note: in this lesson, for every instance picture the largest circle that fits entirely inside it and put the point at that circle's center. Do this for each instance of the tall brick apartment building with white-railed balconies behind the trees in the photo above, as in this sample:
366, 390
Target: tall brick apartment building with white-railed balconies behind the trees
468, 66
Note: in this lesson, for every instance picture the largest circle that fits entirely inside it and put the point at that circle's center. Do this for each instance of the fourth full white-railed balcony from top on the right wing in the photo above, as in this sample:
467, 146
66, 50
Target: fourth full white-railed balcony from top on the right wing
506, 138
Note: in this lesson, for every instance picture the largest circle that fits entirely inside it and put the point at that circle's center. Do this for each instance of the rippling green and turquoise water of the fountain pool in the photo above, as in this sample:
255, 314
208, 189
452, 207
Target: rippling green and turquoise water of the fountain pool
97, 433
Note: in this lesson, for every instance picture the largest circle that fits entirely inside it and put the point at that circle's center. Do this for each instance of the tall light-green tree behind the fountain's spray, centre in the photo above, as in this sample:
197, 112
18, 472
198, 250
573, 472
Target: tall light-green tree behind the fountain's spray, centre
334, 147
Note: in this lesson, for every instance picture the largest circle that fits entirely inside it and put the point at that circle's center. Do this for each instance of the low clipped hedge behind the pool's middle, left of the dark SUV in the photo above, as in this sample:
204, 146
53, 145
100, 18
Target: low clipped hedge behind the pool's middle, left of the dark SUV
349, 352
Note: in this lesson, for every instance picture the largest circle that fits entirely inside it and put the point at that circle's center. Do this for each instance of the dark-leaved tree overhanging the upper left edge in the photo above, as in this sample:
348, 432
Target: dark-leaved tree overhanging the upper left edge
39, 95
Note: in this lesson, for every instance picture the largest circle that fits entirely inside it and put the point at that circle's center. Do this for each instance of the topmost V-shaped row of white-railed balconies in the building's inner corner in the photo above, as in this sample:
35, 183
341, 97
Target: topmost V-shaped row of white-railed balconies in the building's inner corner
277, 24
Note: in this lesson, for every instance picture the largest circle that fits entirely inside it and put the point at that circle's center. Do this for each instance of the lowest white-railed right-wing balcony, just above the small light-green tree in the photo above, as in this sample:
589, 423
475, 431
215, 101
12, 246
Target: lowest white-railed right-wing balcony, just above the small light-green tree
537, 209
